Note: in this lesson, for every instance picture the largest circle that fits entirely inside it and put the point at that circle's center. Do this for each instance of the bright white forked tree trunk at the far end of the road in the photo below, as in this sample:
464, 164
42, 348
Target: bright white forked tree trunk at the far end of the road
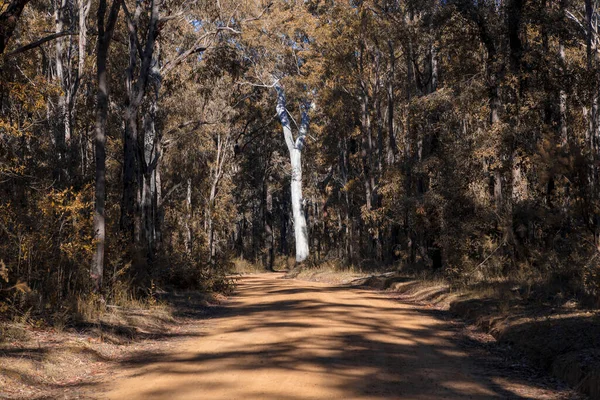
295, 149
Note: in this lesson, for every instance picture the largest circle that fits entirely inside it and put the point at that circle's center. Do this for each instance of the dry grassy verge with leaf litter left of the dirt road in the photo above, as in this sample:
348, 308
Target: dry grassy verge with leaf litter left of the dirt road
47, 362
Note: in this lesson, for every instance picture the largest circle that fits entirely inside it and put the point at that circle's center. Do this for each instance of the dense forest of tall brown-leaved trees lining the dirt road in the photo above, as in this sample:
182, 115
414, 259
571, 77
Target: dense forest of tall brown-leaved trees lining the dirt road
156, 143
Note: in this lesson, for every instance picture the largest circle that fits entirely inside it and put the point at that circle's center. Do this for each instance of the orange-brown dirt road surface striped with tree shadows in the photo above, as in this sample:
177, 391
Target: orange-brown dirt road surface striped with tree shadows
284, 340
